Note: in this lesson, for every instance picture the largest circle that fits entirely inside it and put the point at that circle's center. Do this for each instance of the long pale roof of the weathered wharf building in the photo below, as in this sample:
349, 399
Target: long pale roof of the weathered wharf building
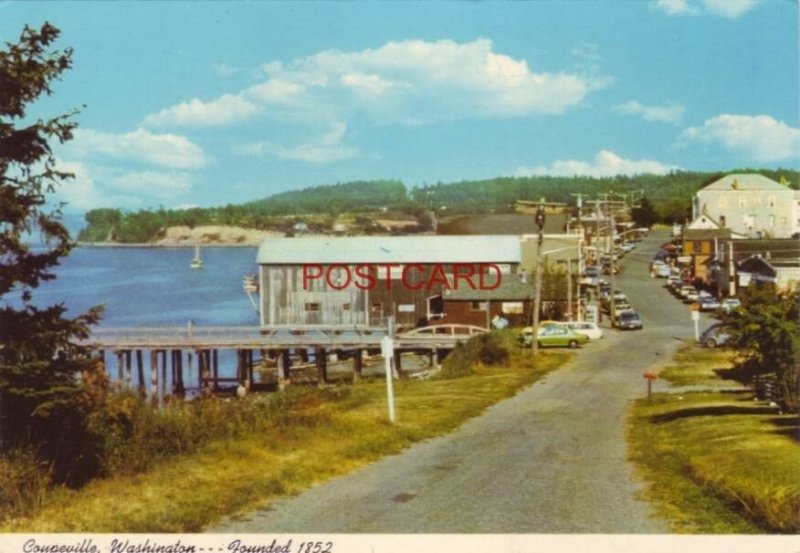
390, 249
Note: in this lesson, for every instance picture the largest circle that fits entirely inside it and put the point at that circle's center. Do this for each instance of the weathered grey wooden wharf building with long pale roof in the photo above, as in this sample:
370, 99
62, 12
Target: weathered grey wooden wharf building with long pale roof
352, 282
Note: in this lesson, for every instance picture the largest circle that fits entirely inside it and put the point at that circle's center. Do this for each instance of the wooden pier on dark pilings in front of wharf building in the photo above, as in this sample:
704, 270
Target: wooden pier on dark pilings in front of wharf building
169, 347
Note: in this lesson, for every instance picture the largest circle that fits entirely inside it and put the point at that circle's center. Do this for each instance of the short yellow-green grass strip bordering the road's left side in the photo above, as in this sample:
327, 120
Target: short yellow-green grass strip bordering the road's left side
338, 431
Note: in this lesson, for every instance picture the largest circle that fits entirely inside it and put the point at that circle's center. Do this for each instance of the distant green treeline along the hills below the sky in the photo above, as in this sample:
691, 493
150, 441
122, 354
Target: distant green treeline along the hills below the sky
670, 196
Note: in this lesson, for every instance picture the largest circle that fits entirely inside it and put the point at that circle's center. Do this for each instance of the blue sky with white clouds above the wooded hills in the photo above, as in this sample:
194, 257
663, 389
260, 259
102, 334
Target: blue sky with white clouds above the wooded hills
214, 103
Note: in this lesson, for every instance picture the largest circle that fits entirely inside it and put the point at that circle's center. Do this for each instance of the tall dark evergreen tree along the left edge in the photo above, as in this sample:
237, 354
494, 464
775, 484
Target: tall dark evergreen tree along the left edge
42, 400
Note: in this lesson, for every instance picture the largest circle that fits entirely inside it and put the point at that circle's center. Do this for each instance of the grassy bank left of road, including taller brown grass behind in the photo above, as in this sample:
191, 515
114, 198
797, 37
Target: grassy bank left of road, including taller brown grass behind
180, 468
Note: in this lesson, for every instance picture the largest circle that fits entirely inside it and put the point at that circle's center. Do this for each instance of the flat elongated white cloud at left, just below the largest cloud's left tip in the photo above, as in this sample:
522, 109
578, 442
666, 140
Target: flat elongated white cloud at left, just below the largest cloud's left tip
140, 146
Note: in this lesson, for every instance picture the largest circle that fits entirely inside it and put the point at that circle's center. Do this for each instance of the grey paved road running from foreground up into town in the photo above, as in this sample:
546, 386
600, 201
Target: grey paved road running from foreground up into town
550, 460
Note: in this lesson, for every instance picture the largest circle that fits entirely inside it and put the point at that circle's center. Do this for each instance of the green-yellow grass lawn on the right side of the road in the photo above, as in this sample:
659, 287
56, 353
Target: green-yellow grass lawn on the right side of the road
716, 462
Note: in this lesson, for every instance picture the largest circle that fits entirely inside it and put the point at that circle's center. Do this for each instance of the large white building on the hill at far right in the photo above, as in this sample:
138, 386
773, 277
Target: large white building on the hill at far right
750, 205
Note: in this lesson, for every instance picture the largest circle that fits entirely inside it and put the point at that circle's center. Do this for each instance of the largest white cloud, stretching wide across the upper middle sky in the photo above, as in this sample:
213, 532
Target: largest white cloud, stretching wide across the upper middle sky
406, 82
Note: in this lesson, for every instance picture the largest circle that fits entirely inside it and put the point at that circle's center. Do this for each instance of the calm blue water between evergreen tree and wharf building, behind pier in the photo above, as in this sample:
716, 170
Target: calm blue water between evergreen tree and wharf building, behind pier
155, 286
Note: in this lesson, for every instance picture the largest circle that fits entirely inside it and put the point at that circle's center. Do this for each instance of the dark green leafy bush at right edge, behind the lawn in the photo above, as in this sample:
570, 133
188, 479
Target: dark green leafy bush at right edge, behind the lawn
765, 333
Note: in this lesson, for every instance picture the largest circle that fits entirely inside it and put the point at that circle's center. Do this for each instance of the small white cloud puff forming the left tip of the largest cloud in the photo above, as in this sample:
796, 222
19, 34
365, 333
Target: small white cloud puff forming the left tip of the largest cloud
224, 110
